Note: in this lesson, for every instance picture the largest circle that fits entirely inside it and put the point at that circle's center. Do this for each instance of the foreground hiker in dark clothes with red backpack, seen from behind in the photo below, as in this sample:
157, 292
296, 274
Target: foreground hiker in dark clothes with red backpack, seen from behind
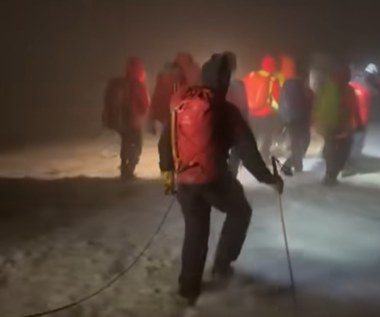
194, 149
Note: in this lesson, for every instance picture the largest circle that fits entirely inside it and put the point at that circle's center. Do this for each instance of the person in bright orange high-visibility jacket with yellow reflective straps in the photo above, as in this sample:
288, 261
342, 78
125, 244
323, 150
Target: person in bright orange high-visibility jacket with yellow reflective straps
263, 92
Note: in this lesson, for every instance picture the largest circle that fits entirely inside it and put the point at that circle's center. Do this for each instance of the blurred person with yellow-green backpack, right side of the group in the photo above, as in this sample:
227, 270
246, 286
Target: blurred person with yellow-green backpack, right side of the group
337, 117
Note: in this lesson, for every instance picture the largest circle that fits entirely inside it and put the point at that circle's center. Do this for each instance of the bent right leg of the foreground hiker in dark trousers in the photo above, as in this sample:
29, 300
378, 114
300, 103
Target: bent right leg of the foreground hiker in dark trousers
228, 196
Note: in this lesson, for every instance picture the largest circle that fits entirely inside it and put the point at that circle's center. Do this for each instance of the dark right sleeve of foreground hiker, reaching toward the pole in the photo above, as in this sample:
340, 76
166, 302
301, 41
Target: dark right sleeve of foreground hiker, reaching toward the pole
246, 146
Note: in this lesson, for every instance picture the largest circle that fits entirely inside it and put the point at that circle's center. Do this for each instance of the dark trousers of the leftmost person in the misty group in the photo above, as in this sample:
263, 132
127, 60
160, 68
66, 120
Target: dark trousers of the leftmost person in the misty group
131, 147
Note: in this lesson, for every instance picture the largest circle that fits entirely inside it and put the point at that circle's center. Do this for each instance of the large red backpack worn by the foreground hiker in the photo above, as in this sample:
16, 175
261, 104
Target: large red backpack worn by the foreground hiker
192, 126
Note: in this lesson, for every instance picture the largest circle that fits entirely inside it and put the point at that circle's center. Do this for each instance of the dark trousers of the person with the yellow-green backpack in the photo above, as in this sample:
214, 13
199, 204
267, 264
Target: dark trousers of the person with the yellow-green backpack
336, 153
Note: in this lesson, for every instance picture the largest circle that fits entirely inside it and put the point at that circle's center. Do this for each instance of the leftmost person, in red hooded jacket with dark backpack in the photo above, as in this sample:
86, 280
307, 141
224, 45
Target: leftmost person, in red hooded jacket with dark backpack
126, 102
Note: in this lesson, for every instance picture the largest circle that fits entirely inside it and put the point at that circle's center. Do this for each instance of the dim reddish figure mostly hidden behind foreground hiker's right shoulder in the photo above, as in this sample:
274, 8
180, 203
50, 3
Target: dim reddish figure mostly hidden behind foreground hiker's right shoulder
237, 96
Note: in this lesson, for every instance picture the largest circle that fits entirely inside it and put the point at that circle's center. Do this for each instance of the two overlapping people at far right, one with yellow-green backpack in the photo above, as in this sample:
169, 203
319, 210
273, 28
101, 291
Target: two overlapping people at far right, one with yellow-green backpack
341, 115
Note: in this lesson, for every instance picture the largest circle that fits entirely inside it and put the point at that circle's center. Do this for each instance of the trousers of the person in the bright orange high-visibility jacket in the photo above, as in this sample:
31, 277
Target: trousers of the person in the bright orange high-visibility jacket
265, 129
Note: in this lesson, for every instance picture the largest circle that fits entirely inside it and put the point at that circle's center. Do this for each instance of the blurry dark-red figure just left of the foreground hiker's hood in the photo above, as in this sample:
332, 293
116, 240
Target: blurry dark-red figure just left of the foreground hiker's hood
183, 71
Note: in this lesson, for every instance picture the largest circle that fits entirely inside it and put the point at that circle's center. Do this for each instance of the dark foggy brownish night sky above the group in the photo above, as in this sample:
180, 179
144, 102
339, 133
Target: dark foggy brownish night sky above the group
56, 55
